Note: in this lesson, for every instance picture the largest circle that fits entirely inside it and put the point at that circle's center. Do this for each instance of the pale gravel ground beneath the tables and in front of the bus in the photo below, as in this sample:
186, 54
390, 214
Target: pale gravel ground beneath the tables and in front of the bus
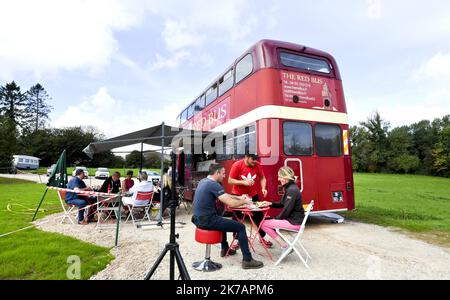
340, 251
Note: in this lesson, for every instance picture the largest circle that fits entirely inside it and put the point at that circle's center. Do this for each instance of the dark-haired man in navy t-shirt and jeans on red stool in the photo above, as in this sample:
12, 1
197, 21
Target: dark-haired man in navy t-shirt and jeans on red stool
205, 215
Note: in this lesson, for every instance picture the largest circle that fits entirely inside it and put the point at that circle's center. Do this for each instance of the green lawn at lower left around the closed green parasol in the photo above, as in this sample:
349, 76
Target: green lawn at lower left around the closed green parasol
34, 254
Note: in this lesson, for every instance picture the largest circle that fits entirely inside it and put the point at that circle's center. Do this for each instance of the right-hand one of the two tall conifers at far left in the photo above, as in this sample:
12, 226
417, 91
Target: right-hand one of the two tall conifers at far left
37, 109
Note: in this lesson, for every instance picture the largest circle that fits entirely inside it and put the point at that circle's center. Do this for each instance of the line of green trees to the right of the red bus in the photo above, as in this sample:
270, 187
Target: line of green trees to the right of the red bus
421, 148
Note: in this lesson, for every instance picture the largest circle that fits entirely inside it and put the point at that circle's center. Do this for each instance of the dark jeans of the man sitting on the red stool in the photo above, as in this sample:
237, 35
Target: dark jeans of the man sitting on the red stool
215, 222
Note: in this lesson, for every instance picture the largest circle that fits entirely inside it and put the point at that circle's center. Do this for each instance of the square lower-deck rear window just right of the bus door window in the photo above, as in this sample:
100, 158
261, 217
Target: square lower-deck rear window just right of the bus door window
328, 140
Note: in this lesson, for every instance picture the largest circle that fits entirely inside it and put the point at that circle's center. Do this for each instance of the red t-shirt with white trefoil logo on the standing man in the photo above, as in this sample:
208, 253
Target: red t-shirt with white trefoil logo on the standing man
240, 171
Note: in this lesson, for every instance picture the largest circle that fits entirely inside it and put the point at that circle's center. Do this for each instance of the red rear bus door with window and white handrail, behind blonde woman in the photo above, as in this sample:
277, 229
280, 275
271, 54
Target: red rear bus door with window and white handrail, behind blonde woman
298, 155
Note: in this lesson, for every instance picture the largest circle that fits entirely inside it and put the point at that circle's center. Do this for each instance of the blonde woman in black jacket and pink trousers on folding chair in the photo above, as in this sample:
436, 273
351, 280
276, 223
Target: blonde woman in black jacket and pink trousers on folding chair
291, 217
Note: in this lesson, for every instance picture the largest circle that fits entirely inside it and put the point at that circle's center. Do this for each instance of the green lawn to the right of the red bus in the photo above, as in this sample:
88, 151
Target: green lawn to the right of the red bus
420, 204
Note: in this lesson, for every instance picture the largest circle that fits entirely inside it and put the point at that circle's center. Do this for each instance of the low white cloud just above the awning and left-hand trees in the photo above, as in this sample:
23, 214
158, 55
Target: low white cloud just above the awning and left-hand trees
115, 117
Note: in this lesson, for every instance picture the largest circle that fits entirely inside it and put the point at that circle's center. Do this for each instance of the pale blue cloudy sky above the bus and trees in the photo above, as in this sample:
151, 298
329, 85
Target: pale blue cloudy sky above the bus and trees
125, 65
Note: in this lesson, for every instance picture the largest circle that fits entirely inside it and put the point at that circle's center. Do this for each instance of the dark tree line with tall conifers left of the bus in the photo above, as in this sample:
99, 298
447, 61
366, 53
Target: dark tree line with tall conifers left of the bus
25, 130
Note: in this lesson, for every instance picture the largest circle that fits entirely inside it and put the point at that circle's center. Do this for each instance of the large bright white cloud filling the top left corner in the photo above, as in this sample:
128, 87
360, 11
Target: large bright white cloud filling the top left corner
49, 35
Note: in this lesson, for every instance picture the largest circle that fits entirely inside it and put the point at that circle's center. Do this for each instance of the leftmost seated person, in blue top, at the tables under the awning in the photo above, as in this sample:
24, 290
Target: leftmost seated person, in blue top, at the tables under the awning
77, 184
